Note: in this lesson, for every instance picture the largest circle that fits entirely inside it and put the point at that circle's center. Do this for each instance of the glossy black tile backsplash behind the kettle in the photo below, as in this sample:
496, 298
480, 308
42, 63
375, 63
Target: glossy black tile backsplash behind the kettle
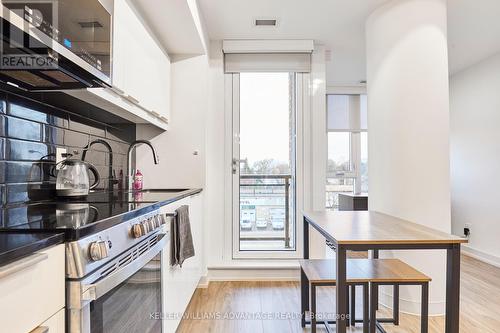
30, 133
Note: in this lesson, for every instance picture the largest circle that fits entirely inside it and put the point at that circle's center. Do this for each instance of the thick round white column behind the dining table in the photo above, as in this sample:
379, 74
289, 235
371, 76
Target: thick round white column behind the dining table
408, 121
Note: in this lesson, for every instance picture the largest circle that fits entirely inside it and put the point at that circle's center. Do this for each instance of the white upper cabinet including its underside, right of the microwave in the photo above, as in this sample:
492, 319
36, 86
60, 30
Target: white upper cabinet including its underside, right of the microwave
140, 73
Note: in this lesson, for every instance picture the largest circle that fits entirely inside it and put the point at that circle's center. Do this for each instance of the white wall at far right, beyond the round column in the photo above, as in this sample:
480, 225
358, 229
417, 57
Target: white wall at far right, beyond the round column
475, 158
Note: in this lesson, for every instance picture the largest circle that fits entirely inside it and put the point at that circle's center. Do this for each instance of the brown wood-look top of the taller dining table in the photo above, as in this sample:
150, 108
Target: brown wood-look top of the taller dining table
369, 227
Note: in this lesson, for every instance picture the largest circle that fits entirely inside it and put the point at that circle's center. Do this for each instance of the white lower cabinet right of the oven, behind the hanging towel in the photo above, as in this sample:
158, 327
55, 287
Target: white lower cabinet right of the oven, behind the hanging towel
180, 282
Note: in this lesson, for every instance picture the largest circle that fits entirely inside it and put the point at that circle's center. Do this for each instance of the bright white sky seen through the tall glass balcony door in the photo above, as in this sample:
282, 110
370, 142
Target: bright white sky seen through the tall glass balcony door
264, 118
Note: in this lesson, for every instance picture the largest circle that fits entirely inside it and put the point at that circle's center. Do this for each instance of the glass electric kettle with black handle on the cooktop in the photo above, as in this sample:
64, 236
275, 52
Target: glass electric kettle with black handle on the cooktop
73, 178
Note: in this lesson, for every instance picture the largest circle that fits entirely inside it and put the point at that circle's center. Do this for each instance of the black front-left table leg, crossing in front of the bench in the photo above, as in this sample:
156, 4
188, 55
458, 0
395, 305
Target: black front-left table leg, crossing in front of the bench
342, 317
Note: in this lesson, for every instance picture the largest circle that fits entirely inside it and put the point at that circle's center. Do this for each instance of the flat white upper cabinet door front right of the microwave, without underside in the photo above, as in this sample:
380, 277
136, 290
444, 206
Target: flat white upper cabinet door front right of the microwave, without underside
140, 67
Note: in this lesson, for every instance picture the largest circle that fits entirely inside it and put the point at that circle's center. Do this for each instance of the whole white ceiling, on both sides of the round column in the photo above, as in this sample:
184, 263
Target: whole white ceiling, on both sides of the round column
474, 28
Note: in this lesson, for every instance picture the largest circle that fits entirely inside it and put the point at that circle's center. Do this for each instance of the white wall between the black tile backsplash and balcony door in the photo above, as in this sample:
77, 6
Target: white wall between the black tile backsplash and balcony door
179, 166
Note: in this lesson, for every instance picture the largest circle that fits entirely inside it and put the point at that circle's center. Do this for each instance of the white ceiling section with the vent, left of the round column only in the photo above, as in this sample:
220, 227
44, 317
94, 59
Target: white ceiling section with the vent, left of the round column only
338, 24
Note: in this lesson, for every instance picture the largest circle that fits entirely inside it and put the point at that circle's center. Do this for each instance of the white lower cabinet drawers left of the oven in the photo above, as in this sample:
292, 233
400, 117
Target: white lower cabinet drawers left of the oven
32, 291
